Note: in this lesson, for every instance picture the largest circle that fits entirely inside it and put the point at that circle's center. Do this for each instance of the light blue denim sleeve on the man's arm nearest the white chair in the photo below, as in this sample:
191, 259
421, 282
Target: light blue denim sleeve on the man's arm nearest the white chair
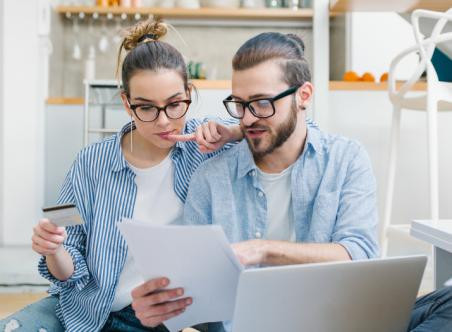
357, 218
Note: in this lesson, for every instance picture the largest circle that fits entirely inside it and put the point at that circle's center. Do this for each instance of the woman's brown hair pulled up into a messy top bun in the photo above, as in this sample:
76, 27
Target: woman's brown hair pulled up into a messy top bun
147, 52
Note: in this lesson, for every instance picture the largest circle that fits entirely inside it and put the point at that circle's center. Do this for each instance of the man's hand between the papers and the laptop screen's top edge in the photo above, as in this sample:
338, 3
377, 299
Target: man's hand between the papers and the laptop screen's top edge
252, 252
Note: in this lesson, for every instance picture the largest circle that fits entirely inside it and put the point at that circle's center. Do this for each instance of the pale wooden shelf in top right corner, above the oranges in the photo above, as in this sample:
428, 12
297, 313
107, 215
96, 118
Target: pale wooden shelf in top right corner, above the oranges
401, 6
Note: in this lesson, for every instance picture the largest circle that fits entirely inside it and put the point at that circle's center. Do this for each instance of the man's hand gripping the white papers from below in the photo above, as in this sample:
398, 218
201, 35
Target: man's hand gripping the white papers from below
153, 304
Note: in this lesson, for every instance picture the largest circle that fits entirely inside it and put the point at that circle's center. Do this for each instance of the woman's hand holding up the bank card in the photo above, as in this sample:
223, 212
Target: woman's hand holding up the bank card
47, 238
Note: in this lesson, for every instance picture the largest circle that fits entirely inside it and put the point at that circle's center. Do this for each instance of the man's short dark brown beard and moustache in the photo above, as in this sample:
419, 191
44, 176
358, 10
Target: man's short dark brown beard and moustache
277, 136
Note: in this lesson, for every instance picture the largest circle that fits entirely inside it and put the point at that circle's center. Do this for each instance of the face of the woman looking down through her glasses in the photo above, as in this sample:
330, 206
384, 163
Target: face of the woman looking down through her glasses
148, 88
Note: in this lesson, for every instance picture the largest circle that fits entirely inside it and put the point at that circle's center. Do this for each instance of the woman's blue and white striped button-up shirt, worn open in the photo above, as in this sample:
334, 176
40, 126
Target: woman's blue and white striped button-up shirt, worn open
102, 186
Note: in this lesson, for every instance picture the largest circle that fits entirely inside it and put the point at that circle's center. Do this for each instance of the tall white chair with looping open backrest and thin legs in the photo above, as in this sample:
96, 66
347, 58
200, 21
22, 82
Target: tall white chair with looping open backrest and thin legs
438, 96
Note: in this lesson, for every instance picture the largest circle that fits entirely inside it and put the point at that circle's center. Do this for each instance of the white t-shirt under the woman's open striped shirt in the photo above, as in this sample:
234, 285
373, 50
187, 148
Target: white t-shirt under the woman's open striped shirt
156, 203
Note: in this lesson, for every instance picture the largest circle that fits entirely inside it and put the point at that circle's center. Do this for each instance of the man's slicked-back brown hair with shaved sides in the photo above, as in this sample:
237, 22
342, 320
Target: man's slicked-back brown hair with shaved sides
288, 49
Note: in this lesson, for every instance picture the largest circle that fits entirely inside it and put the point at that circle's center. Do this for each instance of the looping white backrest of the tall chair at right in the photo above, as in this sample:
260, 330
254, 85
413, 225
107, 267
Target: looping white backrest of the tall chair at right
425, 46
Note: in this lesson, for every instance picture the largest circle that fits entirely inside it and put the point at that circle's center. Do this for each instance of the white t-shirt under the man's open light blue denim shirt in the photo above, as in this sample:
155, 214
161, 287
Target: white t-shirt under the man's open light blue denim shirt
277, 188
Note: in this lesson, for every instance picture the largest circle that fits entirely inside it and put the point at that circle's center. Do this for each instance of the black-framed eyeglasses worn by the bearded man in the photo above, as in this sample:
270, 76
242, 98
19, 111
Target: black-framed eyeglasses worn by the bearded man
259, 107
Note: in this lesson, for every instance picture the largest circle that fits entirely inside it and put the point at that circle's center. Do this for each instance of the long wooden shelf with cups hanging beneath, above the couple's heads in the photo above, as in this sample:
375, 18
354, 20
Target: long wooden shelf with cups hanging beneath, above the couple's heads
201, 13
